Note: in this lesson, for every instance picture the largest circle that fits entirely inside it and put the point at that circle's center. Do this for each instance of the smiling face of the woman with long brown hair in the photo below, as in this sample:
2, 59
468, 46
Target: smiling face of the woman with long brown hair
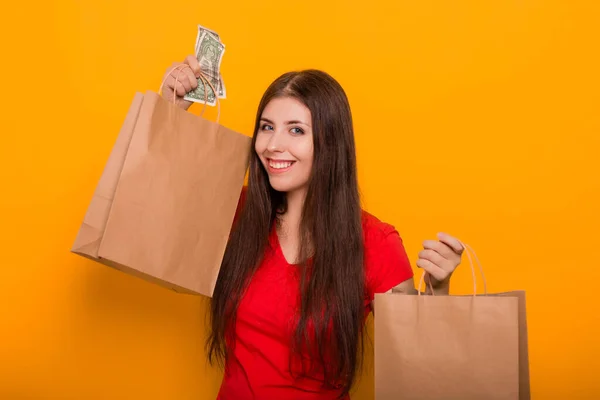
284, 144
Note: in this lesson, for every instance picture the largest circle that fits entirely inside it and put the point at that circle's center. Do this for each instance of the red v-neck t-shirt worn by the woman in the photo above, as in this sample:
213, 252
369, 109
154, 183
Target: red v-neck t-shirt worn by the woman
258, 367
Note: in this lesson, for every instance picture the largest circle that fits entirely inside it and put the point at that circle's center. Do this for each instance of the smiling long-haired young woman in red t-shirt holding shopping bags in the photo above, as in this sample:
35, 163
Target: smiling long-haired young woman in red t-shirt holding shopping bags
304, 261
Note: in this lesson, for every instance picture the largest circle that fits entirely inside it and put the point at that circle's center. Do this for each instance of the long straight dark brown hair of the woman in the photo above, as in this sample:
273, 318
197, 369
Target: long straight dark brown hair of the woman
331, 244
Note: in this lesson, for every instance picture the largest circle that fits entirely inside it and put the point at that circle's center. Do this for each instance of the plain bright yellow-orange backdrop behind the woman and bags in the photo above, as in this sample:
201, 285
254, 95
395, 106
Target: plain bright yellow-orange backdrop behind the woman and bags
480, 118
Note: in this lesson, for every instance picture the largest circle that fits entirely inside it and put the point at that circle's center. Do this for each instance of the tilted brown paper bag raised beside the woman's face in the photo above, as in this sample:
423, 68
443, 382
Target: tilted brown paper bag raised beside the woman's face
165, 204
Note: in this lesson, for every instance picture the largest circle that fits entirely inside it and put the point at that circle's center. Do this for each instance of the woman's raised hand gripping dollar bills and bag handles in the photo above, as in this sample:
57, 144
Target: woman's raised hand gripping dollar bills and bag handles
187, 80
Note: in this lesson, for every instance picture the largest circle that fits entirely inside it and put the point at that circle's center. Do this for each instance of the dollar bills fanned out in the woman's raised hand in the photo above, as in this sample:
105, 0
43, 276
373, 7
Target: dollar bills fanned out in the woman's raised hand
209, 52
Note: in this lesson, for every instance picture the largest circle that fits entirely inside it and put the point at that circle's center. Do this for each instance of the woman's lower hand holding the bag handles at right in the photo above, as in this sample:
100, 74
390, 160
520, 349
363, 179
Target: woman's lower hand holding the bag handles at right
439, 258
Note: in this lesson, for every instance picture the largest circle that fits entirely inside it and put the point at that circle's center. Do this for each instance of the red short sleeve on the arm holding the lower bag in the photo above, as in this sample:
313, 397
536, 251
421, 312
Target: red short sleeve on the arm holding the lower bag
386, 261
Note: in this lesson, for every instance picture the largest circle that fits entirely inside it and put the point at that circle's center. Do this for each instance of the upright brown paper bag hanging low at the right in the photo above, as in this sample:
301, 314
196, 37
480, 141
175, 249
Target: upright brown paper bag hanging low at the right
451, 347
